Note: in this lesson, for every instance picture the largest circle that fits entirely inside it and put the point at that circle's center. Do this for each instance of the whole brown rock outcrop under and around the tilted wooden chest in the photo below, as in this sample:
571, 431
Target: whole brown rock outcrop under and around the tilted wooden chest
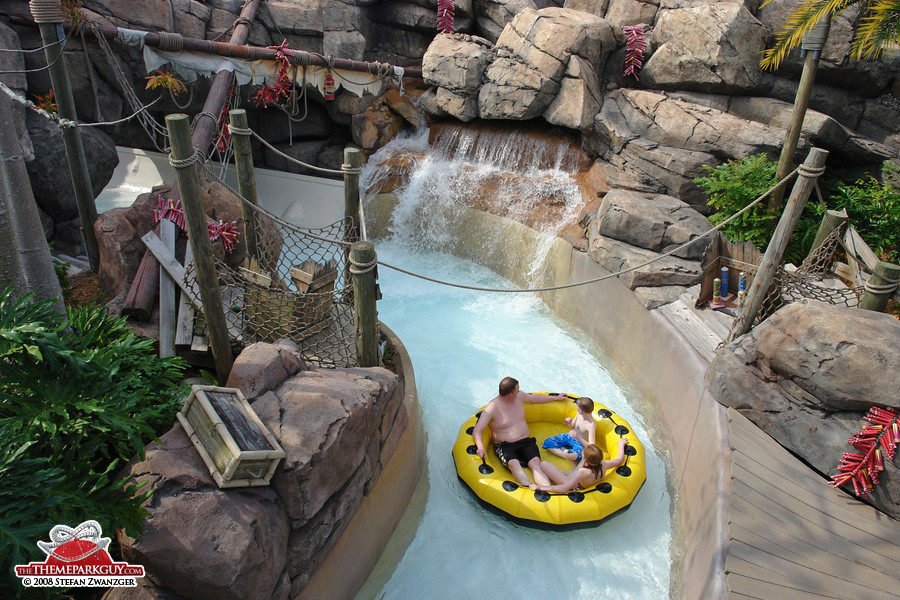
337, 427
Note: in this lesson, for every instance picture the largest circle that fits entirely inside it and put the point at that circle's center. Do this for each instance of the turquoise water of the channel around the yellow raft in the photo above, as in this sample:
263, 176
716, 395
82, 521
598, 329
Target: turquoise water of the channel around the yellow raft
462, 343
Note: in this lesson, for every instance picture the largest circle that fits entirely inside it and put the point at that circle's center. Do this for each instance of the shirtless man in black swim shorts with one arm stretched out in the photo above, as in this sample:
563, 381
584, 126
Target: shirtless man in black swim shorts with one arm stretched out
509, 431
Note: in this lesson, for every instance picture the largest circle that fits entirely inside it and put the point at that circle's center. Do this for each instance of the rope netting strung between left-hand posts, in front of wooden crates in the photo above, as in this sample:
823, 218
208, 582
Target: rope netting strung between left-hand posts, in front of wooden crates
294, 286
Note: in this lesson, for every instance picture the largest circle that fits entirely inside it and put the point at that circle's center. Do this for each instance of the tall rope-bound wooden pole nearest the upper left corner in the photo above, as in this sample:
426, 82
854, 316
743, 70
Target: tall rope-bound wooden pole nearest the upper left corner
47, 15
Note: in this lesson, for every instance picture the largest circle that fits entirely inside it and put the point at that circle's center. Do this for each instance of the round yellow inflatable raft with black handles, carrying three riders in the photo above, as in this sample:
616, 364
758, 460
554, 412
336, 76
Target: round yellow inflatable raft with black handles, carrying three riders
495, 486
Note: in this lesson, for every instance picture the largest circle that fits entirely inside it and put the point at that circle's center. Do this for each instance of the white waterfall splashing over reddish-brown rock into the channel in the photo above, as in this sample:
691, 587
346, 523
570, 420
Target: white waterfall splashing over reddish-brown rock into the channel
512, 172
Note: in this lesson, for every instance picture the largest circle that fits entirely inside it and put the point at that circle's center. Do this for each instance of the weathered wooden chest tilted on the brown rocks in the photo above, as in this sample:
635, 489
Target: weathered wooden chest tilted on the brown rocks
235, 445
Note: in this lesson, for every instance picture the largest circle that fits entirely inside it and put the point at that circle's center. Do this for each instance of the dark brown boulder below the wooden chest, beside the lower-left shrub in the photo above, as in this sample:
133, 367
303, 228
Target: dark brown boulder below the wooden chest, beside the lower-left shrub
200, 541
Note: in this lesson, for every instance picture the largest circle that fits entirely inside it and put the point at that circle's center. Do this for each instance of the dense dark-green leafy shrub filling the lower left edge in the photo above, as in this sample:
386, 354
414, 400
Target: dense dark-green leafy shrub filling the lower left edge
79, 395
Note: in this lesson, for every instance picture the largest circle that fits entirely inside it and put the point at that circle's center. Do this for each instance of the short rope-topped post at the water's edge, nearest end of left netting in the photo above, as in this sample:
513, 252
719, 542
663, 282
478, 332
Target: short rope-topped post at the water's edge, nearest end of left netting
362, 269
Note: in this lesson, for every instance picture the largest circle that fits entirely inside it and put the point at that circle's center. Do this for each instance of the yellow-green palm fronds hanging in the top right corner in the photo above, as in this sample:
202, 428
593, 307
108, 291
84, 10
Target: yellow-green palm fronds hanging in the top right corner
878, 29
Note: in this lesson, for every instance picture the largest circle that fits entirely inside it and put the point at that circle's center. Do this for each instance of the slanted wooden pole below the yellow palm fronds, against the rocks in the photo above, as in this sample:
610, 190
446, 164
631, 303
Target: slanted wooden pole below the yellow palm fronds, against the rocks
811, 51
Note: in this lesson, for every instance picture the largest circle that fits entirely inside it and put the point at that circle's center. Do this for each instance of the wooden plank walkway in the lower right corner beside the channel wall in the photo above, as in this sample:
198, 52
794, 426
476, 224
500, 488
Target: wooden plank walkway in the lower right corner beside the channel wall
792, 536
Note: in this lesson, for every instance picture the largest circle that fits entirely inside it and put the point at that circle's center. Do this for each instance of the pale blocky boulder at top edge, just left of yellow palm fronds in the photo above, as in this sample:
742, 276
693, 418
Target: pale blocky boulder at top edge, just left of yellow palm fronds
709, 48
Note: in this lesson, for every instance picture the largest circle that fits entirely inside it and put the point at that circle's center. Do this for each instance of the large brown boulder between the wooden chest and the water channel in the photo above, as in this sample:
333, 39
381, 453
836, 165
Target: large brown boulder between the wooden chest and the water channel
338, 428
